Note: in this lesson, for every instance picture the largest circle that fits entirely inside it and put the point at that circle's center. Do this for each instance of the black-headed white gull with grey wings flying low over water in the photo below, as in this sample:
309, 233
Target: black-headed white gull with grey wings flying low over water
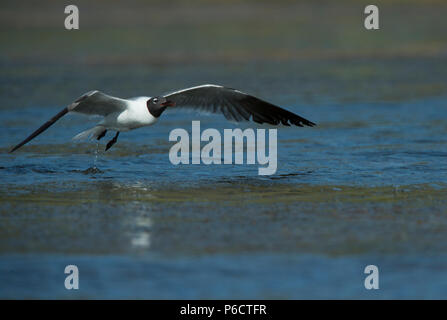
122, 115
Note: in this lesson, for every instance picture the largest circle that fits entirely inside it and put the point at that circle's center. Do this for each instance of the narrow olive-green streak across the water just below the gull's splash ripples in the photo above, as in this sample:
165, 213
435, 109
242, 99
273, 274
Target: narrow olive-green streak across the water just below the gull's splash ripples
229, 194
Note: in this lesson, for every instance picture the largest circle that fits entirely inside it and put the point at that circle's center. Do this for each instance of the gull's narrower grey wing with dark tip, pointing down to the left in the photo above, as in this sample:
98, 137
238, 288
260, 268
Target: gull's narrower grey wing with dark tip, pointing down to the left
93, 102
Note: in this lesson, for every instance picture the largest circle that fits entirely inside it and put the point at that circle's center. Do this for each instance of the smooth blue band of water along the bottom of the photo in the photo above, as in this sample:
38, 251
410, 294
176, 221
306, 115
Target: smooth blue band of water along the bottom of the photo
221, 276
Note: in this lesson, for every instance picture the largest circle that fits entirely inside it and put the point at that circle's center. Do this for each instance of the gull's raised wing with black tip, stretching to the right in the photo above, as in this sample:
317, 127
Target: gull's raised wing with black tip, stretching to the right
234, 105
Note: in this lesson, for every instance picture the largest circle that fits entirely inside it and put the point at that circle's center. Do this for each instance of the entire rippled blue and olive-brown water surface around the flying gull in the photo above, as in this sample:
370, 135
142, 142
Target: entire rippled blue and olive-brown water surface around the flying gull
365, 186
